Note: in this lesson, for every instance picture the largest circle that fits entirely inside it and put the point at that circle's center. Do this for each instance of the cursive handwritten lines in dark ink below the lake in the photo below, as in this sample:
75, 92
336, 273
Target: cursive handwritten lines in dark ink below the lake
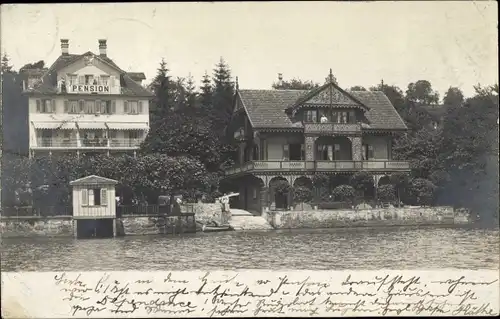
236, 295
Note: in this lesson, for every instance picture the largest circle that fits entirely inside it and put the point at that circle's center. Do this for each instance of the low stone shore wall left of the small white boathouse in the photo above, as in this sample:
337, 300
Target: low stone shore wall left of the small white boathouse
60, 227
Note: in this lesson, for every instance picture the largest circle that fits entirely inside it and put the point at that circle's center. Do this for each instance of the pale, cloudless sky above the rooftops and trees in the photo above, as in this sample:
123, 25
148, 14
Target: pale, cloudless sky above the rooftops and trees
447, 43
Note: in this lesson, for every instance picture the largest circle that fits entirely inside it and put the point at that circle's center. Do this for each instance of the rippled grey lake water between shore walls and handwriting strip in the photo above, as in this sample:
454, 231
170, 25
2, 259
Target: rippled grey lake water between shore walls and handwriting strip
330, 249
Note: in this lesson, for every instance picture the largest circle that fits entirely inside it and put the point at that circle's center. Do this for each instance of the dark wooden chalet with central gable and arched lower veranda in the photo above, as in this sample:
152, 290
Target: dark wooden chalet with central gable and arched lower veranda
292, 135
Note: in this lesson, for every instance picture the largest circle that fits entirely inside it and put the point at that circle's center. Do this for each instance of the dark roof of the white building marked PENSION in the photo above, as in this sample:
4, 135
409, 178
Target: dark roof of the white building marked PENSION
49, 80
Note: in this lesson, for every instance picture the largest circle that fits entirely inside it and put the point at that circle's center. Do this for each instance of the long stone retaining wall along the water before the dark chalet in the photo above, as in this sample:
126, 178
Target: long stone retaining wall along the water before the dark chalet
374, 217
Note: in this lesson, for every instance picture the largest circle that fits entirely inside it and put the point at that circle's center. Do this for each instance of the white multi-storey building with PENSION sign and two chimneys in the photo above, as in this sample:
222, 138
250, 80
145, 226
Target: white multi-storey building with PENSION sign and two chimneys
85, 103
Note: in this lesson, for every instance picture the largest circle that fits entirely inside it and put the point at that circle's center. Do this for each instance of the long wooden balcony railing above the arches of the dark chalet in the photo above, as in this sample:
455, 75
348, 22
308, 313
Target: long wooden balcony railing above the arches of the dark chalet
319, 166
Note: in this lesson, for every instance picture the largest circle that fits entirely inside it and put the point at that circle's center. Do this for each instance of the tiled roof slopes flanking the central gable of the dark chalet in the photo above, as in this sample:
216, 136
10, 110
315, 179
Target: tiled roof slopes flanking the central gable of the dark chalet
266, 108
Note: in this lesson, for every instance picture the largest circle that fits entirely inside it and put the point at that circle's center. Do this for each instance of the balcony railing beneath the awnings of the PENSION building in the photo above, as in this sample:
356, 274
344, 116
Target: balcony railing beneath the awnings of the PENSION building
88, 143
